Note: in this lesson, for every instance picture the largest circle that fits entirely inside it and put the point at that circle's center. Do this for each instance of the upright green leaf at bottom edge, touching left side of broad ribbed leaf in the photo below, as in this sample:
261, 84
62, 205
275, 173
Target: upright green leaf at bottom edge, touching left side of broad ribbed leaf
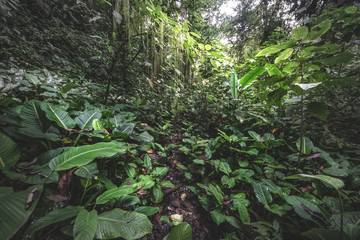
85, 225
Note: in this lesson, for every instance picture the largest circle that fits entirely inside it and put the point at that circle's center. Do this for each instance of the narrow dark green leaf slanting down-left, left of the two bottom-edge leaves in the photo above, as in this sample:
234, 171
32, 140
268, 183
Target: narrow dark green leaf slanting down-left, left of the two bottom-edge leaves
54, 217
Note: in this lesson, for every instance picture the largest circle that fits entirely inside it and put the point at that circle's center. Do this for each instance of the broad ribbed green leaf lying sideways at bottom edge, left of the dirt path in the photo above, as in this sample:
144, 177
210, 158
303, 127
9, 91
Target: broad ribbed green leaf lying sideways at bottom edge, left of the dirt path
119, 223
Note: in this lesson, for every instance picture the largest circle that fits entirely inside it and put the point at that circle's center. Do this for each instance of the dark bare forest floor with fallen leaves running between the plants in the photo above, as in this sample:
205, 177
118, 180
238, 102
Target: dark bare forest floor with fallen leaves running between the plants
180, 202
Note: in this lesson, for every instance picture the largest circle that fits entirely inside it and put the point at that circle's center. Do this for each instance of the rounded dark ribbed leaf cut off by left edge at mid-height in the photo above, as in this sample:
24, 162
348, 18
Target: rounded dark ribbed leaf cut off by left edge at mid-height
10, 153
